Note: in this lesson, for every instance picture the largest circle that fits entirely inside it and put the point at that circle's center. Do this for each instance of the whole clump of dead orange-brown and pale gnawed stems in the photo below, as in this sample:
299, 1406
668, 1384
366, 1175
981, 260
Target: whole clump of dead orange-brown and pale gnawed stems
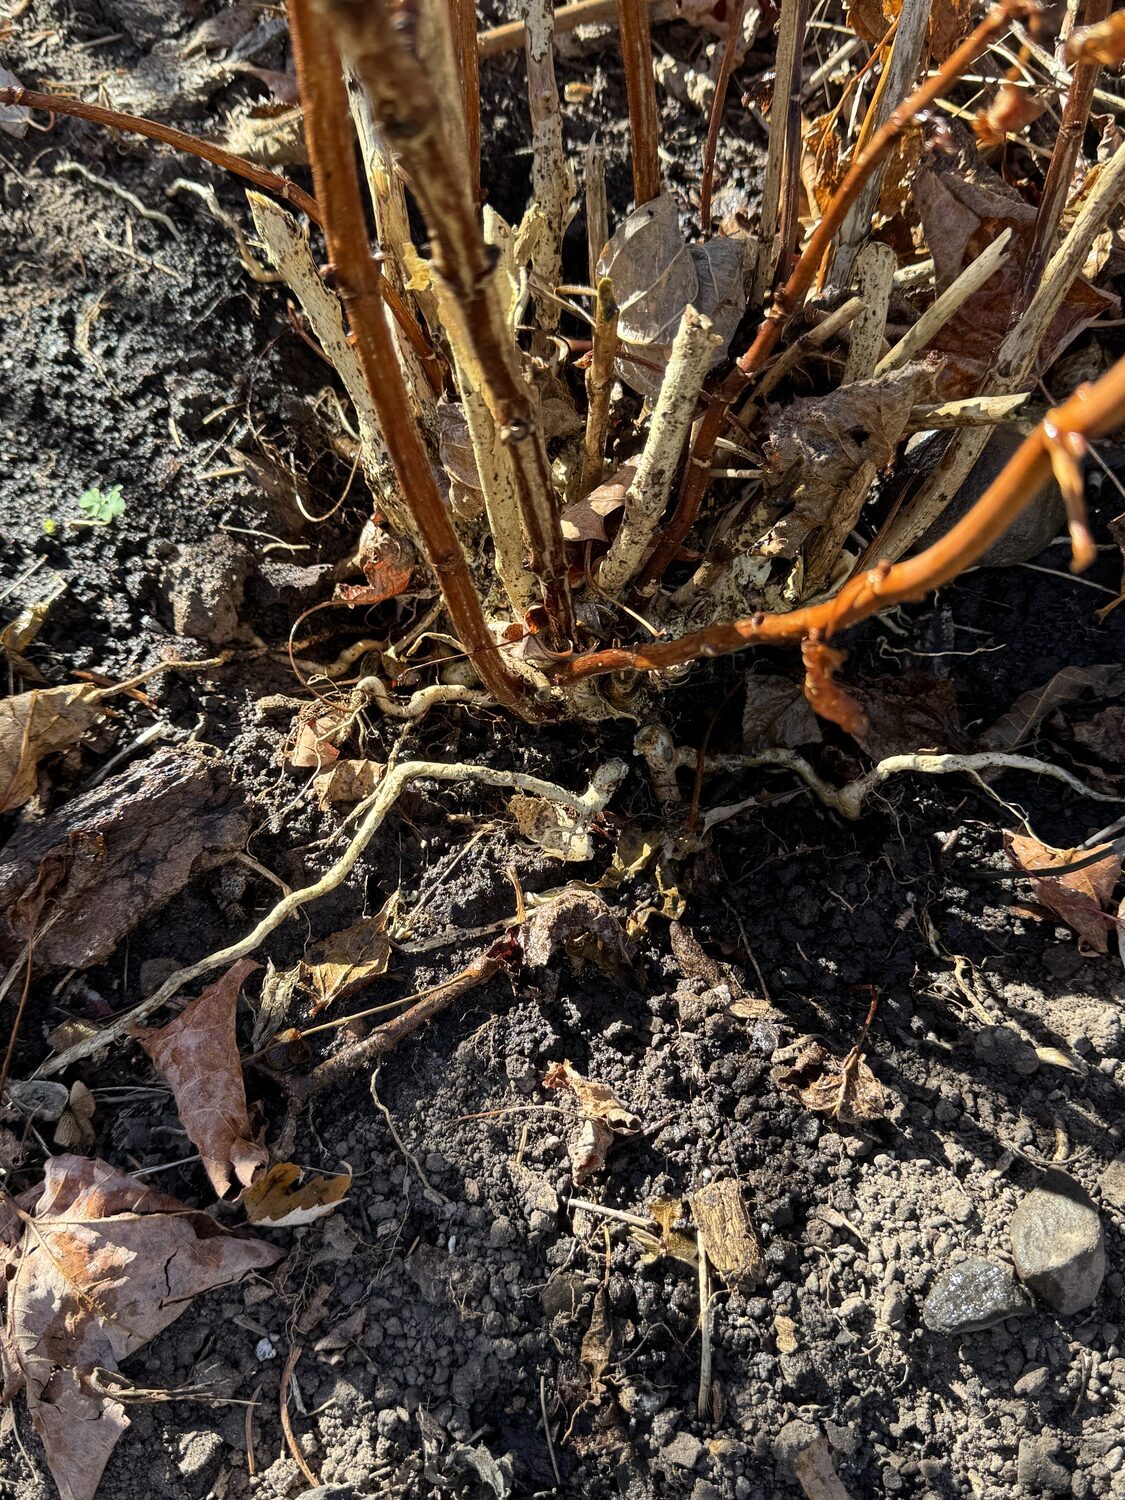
700, 451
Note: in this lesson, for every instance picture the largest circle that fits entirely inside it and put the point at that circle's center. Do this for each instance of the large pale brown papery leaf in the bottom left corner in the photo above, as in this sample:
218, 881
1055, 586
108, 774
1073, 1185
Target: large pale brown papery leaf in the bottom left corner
107, 1267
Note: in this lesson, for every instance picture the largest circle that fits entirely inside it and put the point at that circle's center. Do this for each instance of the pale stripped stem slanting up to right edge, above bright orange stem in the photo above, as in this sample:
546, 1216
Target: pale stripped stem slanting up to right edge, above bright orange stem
1015, 361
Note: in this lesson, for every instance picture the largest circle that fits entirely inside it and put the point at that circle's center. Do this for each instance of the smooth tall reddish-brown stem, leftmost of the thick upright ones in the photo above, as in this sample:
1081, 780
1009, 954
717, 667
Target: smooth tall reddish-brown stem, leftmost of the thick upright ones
332, 154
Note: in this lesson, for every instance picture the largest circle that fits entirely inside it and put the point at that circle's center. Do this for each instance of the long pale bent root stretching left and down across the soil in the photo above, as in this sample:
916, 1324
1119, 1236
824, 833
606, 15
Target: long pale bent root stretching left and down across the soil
373, 815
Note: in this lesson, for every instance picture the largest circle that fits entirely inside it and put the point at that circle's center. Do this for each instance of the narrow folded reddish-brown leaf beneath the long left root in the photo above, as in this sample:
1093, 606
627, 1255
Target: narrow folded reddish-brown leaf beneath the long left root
199, 1055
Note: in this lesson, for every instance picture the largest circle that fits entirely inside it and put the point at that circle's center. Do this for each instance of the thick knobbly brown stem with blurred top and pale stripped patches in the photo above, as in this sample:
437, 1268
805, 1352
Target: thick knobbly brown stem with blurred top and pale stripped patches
464, 269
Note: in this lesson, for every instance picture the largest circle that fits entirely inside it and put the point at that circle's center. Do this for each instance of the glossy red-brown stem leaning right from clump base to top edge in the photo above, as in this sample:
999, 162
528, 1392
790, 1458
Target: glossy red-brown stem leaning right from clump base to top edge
793, 295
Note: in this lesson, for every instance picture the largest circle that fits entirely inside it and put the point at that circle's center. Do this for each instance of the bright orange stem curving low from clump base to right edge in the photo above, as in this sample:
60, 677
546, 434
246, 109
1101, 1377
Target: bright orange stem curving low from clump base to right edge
1091, 413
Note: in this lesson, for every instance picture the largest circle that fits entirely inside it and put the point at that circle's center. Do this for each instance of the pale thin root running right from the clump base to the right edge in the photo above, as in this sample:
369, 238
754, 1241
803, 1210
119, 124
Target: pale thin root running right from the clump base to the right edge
850, 800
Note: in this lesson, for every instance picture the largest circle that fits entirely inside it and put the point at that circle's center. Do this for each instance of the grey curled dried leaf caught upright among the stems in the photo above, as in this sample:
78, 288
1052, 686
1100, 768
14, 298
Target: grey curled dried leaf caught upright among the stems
656, 277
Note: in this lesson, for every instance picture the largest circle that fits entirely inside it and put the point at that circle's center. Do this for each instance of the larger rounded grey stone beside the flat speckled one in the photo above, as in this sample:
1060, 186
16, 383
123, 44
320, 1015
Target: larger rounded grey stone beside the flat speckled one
1058, 1244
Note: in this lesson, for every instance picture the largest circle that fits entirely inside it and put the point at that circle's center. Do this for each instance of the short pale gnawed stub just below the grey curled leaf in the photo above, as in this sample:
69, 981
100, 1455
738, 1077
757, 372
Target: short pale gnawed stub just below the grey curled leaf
694, 350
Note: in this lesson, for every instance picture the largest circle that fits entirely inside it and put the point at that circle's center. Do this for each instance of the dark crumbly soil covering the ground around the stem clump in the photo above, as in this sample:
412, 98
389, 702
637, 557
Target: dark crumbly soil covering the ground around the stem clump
473, 1276
